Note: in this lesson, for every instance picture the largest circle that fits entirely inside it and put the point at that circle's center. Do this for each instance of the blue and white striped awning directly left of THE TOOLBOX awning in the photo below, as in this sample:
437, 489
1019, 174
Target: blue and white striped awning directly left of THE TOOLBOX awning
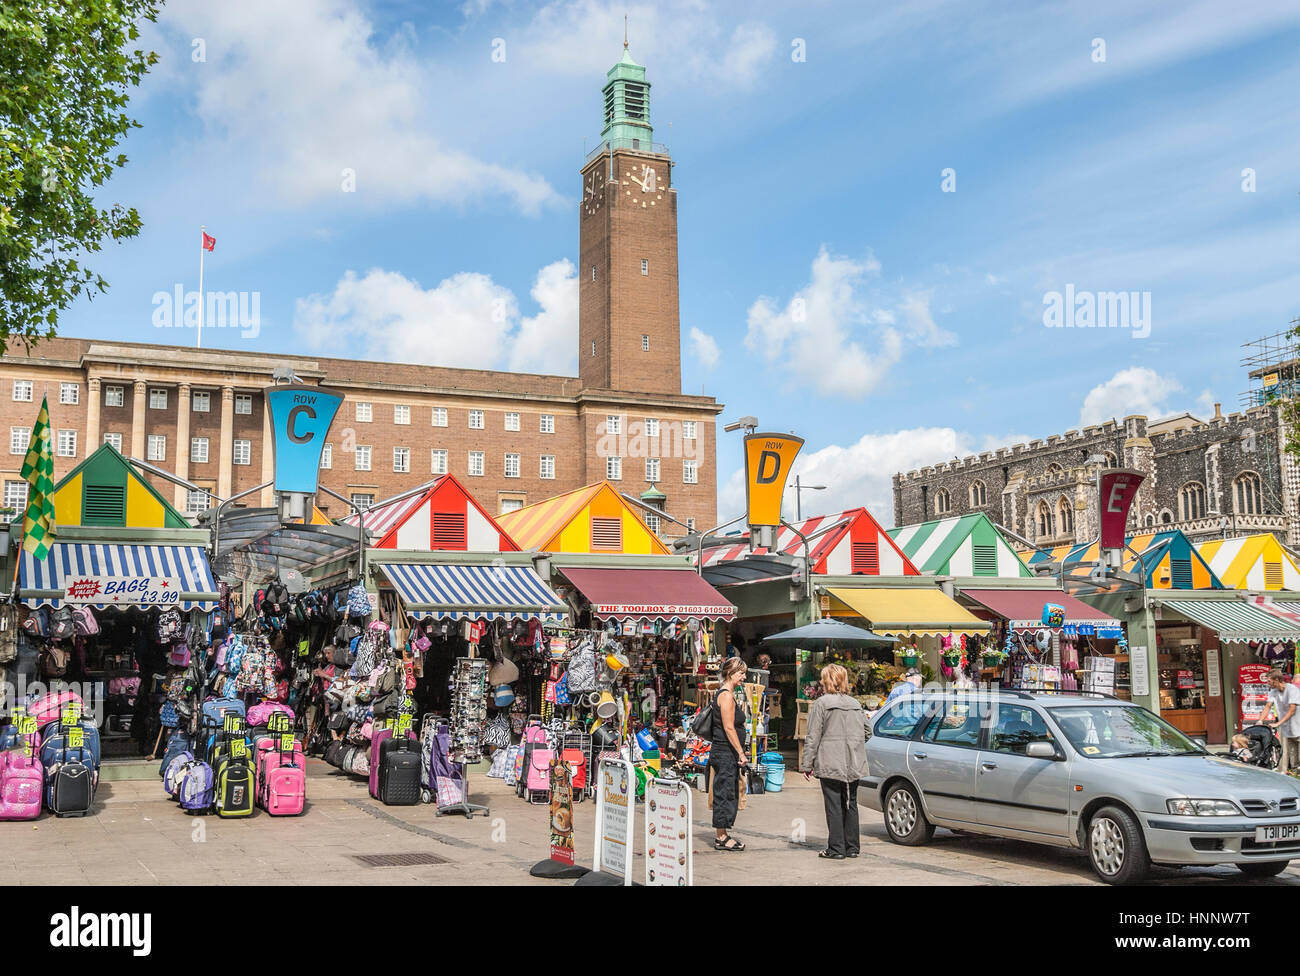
474, 592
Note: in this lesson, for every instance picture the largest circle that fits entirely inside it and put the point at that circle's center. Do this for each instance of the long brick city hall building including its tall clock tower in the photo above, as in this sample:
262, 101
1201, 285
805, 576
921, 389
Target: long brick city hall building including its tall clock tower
512, 439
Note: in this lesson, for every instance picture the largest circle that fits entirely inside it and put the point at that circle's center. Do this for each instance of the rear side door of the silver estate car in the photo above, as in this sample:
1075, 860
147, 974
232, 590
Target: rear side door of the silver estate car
943, 761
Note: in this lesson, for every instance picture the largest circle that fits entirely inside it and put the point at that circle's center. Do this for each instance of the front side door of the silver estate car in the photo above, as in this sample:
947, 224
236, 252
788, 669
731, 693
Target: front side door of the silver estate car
1015, 791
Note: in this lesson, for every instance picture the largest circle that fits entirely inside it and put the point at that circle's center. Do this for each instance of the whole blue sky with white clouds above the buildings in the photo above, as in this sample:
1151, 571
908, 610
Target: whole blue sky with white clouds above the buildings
829, 283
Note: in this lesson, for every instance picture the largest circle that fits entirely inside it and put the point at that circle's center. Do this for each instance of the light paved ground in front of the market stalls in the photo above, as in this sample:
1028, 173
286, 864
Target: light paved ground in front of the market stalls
140, 838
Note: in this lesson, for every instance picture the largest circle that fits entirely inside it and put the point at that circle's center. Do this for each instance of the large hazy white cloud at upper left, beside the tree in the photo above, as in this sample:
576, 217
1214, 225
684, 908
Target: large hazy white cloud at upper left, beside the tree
296, 93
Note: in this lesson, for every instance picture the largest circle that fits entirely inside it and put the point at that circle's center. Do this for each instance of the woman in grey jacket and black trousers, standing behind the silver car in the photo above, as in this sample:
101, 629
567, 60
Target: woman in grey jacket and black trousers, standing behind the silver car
837, 753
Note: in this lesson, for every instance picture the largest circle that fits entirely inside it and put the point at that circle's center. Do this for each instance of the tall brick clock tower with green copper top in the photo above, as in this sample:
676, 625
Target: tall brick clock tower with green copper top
630, 335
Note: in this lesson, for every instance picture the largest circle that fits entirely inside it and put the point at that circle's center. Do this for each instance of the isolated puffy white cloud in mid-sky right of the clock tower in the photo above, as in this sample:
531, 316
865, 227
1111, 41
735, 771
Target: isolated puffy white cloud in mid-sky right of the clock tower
830, 339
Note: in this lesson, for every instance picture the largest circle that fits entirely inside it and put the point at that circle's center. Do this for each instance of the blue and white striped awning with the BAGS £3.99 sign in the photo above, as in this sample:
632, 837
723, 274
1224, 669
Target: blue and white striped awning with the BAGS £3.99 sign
45, 582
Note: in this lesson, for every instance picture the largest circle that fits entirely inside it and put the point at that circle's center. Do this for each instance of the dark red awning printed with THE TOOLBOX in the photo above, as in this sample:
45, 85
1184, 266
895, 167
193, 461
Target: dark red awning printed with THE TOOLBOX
651, 593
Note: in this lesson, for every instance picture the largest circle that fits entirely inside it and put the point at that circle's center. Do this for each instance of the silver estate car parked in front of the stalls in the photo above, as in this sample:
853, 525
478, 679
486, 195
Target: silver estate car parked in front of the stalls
1078, 771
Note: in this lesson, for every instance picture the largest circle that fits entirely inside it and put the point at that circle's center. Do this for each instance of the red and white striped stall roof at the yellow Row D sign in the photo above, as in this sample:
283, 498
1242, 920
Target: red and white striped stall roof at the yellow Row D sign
870, 550
